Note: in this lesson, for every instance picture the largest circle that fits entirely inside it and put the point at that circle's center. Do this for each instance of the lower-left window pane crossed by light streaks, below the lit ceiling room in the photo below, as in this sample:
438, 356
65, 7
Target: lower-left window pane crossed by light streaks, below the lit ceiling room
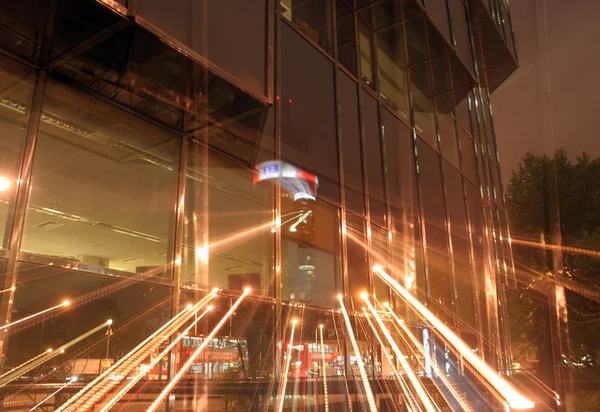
137, 309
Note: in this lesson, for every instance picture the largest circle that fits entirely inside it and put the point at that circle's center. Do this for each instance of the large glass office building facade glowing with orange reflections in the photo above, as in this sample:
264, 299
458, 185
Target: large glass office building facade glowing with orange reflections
132, 131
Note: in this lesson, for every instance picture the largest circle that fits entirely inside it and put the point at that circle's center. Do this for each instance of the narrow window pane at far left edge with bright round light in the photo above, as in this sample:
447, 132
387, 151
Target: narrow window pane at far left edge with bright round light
16, 88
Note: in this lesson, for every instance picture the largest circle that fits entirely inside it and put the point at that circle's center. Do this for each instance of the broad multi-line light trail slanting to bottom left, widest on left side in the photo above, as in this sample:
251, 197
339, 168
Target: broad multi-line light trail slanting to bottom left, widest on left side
93, 392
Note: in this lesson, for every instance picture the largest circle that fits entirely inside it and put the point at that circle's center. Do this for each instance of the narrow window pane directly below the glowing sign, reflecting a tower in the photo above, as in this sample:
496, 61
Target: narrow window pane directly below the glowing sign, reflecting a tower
310, 252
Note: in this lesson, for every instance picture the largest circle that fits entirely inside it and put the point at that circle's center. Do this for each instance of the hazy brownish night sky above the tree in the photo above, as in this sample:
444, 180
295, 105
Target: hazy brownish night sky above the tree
552, 100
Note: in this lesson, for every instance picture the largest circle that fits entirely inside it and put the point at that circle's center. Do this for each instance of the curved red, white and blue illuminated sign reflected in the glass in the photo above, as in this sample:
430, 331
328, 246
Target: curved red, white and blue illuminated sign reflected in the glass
301, 184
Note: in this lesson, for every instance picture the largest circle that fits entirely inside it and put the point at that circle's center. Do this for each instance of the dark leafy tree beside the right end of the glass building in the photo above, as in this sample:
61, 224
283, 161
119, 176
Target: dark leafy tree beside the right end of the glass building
553, 199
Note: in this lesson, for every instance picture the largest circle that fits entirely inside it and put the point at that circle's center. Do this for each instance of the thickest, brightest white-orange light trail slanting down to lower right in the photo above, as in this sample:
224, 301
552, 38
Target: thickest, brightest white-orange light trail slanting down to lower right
505, 389
